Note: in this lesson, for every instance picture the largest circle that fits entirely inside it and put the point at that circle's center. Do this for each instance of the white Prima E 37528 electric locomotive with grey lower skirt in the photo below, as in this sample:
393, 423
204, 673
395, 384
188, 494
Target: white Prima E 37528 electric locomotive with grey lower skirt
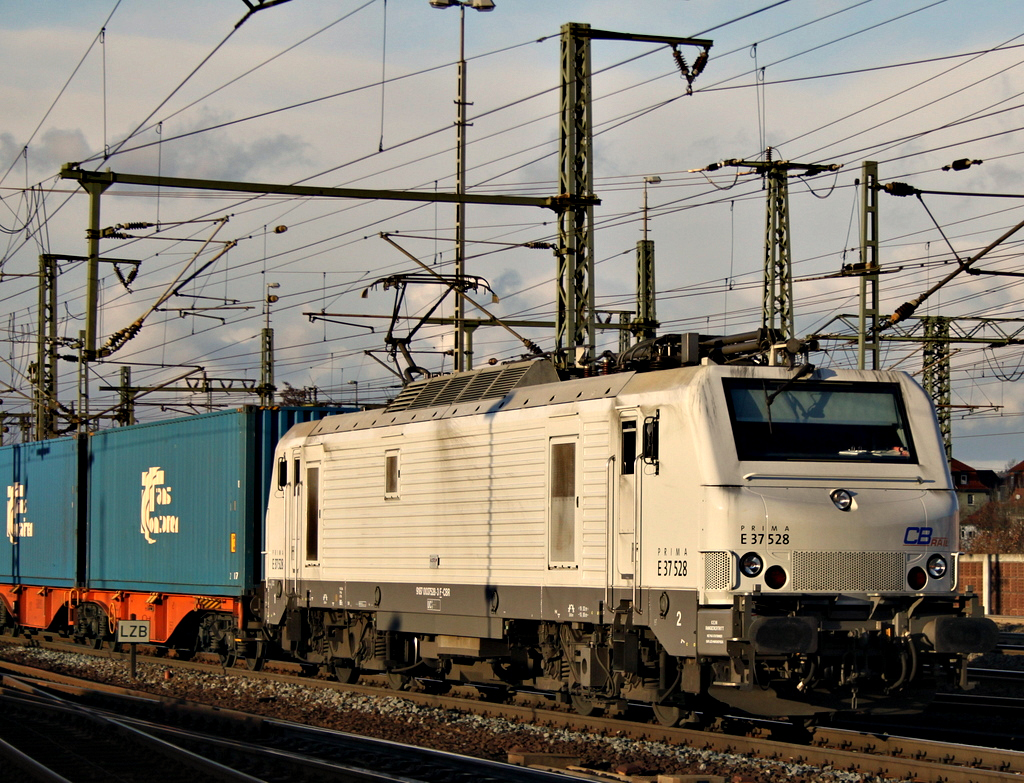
707, 539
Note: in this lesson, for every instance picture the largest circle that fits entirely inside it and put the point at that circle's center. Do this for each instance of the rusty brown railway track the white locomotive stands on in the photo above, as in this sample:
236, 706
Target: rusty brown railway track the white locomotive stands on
867, 751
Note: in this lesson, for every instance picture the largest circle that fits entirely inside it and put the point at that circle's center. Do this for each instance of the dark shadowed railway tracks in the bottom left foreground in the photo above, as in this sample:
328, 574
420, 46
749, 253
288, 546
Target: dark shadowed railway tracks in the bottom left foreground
72, 732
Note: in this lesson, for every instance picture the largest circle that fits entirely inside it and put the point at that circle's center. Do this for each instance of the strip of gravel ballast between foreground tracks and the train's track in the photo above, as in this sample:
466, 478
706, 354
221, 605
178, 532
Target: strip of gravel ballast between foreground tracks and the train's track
402, 721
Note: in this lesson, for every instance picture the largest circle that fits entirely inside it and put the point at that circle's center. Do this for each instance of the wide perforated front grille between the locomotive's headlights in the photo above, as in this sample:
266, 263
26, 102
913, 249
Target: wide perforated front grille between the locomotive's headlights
840, 572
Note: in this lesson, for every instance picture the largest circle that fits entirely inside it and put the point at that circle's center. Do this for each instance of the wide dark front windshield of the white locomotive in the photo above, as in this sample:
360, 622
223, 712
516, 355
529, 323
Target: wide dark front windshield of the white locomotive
777, 420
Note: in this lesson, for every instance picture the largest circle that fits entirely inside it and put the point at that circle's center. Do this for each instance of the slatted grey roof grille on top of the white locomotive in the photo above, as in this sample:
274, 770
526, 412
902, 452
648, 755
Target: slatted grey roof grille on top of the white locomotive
476, 385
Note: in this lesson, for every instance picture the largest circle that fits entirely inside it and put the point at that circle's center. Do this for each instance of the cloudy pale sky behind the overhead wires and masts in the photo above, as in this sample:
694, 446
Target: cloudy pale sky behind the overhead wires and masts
360, 94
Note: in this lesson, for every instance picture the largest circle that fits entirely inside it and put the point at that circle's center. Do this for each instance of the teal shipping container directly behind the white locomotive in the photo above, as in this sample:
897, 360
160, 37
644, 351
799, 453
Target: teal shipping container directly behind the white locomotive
179, 506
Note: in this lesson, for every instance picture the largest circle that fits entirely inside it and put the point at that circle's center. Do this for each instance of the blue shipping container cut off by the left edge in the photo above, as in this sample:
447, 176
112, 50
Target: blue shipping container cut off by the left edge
41, 485
